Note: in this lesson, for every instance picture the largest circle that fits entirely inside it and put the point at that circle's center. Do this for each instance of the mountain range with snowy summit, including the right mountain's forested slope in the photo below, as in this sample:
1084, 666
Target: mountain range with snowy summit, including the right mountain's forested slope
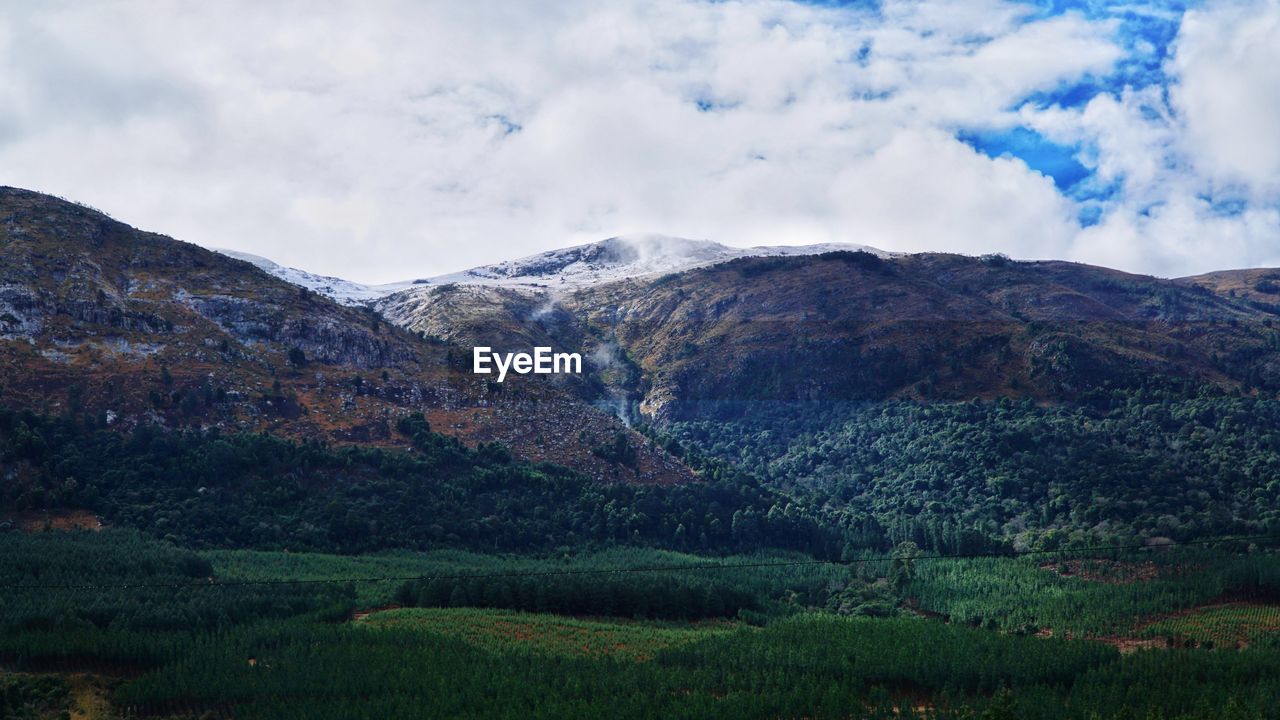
900, 394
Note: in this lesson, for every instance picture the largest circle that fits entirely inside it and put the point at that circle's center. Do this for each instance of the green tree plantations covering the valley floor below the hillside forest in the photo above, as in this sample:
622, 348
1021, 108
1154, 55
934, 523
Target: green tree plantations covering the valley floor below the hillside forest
243, 635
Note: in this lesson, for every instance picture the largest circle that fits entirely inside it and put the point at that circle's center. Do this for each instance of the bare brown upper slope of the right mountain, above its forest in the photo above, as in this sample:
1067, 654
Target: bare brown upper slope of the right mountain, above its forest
858, 326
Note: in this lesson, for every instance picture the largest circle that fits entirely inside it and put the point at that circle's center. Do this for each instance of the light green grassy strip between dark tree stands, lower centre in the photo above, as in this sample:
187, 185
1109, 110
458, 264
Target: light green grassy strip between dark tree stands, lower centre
551, 635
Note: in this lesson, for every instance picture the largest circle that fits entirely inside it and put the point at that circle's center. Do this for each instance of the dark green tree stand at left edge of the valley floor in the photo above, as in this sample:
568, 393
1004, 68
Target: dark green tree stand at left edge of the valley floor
53, 608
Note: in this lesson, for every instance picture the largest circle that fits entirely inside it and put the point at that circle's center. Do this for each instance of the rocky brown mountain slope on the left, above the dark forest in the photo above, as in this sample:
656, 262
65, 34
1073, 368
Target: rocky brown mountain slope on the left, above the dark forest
130, 329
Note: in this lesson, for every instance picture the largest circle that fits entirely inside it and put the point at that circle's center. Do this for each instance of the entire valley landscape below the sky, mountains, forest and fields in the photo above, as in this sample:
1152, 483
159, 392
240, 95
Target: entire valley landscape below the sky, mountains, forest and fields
825, 482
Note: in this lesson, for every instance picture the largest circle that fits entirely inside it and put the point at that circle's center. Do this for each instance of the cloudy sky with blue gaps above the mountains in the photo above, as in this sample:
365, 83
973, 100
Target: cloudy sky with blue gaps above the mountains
388, 140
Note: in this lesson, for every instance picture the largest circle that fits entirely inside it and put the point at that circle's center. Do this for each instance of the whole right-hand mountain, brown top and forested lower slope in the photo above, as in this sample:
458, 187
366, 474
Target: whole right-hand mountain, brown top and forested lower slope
945, 400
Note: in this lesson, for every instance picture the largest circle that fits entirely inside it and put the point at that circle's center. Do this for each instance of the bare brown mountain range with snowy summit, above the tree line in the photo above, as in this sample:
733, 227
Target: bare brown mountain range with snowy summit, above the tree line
671, 329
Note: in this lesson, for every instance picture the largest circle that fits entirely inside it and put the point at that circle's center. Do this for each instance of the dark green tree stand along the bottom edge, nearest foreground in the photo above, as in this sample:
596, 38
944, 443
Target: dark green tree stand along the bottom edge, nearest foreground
810, 667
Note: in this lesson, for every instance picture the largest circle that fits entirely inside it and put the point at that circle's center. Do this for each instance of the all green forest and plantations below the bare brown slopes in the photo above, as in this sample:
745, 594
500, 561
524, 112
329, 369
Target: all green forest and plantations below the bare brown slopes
819, 591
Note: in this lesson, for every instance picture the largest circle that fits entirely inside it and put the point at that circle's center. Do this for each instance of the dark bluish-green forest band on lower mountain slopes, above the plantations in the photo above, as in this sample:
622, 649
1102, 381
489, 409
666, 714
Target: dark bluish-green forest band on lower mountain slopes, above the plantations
826, 480
